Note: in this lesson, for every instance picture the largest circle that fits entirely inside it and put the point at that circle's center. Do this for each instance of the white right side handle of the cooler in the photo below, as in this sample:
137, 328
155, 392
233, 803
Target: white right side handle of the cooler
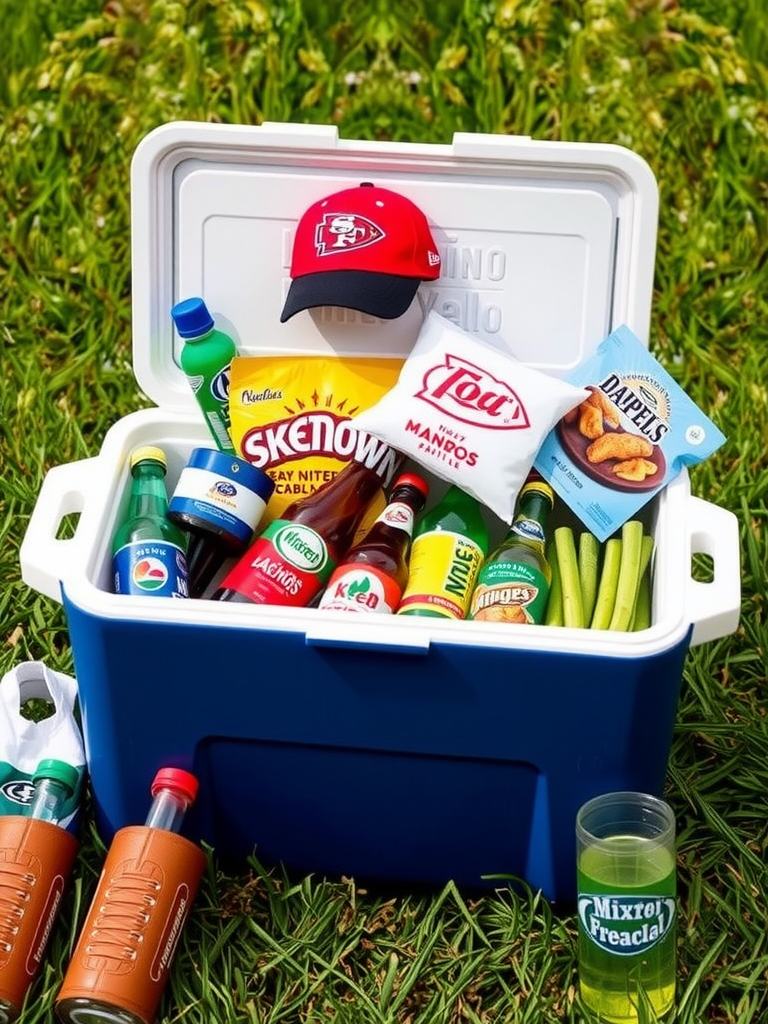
714, 608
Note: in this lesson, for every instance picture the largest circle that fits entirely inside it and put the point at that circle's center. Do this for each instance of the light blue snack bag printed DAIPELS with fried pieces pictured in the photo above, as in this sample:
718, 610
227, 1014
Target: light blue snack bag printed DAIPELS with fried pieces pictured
634, 434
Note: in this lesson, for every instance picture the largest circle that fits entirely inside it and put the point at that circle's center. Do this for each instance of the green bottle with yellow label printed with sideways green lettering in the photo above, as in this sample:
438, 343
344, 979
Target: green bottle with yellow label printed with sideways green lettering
450, 544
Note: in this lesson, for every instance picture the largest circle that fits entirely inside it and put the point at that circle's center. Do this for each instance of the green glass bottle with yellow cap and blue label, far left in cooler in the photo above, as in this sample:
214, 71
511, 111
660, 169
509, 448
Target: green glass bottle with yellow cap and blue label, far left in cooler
149, 550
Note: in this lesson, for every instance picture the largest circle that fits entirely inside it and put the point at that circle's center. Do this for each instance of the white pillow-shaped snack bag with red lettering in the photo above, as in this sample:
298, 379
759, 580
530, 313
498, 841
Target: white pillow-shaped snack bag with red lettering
470, 414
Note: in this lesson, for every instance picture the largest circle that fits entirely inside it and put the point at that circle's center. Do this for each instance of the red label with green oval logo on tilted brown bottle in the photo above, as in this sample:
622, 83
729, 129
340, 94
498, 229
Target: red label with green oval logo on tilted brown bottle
287, 565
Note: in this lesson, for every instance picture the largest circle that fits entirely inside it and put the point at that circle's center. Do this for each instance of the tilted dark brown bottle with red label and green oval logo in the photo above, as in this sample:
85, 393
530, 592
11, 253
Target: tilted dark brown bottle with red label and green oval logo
293, 559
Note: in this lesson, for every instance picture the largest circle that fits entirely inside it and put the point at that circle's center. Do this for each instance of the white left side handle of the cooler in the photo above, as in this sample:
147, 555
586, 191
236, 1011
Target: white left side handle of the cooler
45, 557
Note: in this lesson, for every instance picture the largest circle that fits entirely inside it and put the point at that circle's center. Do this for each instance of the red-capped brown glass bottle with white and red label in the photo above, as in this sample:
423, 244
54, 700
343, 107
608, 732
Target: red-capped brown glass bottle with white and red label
372, 576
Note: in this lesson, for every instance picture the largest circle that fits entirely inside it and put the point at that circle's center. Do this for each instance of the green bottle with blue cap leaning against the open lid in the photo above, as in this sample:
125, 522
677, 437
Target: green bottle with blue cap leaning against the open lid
206, 360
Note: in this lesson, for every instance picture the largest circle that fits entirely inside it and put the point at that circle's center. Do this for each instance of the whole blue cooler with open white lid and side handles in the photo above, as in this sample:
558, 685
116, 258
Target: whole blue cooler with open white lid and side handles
405, 750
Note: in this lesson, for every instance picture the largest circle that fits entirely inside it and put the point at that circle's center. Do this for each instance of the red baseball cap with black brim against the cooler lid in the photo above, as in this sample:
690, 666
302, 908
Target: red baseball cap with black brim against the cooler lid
365, 248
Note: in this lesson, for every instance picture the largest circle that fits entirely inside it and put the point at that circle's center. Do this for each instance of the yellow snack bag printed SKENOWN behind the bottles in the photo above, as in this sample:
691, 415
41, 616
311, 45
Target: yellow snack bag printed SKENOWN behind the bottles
292, 417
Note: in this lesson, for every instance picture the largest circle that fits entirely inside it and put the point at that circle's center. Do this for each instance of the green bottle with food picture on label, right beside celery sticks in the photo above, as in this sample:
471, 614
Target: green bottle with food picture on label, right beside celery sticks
514, 583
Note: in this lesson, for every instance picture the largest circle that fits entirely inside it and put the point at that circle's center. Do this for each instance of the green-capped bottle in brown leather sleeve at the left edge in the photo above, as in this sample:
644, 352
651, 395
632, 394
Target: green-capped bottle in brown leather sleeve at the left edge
36, 863
